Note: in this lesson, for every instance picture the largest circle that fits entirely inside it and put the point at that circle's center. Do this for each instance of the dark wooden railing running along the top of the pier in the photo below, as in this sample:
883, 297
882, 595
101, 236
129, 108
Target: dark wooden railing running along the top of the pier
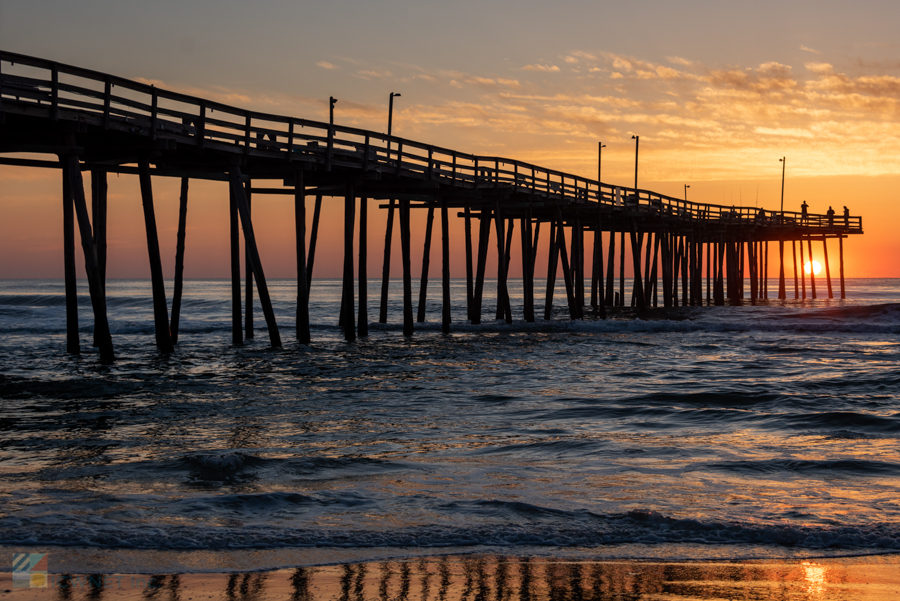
33, 86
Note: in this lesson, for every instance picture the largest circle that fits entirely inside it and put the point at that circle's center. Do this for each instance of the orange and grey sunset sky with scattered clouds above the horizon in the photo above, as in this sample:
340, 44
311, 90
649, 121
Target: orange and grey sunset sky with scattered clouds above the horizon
717, 92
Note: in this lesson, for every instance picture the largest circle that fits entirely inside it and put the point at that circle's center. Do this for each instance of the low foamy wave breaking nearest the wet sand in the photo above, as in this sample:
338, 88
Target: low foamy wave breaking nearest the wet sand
541, 527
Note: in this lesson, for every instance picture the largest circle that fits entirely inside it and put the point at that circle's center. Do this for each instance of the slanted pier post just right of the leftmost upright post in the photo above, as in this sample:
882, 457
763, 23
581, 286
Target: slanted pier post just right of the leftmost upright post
72, 170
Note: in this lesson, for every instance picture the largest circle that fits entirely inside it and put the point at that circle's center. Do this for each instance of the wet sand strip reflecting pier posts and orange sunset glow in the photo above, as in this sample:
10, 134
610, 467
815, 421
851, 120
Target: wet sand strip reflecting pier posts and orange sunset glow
498, 578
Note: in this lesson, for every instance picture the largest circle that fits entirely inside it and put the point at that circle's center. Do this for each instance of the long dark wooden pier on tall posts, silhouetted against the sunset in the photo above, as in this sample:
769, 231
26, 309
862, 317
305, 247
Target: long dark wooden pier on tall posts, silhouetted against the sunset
103, 124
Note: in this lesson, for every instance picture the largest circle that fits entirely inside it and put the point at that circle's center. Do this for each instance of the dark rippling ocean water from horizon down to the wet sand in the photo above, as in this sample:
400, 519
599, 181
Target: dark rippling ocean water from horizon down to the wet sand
766, 430
